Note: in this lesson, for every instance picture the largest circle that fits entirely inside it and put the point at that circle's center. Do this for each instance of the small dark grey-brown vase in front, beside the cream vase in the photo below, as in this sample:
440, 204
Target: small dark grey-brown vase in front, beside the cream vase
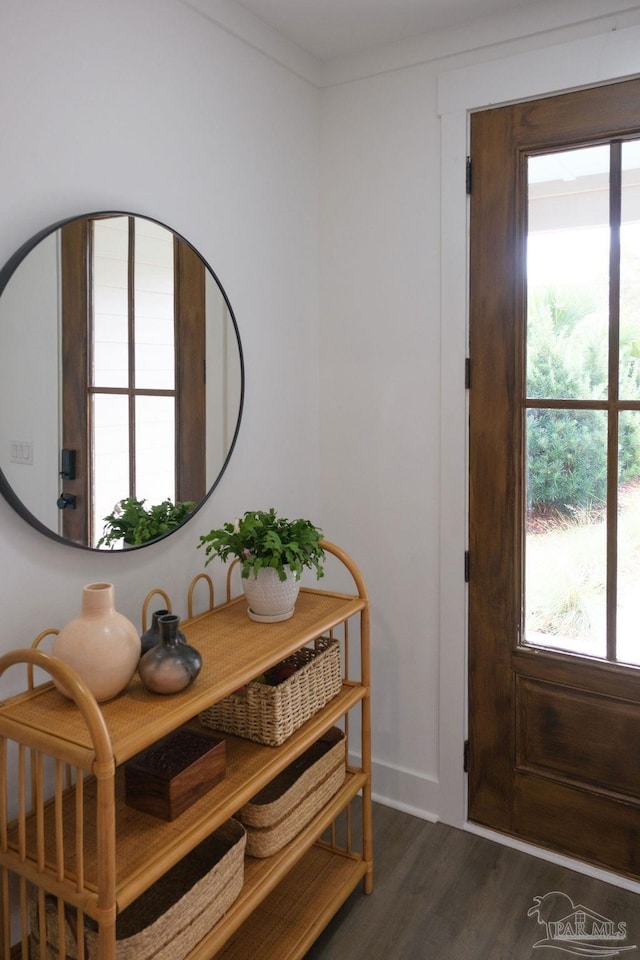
170, 665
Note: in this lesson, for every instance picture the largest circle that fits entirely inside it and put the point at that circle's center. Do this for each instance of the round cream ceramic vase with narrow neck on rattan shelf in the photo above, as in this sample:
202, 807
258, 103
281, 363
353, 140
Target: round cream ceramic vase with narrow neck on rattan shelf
101, 645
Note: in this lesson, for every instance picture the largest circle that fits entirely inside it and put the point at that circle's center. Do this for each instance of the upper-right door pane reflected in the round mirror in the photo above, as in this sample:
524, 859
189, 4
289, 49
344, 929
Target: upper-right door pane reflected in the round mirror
154, 323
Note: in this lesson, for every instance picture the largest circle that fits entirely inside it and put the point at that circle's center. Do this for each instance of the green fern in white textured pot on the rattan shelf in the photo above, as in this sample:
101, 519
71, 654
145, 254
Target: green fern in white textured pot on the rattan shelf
273, 552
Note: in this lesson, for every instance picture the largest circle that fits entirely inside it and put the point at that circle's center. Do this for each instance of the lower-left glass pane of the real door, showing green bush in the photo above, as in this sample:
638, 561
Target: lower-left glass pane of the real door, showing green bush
566, 537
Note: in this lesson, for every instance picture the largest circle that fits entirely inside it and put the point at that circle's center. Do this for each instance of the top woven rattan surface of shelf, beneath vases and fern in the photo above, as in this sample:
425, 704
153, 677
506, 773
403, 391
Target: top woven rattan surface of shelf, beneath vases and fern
234, 650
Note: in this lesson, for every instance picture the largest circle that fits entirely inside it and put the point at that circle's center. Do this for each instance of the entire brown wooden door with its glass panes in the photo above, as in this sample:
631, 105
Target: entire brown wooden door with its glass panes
554, 725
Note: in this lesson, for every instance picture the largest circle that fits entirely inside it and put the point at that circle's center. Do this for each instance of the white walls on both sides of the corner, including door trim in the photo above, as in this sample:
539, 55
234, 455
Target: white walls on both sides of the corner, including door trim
190, 125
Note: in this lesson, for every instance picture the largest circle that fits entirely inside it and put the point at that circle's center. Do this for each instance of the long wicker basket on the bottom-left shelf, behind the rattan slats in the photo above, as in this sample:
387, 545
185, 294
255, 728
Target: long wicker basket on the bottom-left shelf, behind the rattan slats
169, 918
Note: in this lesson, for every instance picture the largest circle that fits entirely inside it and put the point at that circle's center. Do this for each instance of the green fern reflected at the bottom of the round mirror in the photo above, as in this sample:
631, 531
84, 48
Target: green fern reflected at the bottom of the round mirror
134, 524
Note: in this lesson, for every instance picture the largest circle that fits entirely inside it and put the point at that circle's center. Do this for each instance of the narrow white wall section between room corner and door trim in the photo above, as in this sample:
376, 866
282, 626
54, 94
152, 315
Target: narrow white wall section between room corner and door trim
380, 399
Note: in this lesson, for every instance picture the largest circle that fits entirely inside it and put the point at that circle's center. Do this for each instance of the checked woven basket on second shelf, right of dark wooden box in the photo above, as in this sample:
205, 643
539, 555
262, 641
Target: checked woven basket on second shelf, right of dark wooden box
269, 714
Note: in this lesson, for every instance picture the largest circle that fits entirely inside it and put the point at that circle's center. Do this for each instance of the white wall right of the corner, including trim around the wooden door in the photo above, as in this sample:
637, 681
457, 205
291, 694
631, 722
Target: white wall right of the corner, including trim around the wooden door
393, 343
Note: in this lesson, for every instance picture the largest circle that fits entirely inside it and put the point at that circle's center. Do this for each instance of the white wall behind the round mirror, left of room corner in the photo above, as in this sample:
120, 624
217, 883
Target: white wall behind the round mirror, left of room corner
151, 107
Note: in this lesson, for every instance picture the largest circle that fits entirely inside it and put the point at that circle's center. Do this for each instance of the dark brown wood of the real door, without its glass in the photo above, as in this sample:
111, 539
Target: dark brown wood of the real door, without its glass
508, 684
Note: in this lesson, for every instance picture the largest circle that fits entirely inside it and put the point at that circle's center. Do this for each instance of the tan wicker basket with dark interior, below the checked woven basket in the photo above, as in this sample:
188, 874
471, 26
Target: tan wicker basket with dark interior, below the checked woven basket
280, 811
